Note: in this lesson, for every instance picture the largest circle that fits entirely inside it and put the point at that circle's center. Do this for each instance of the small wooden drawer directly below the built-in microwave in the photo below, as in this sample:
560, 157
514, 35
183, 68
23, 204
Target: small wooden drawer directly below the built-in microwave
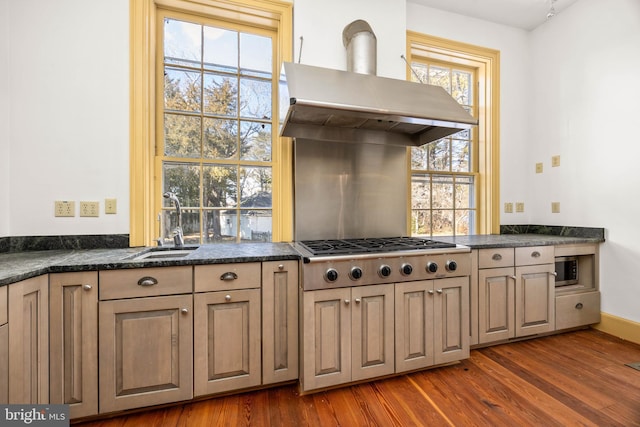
577, 310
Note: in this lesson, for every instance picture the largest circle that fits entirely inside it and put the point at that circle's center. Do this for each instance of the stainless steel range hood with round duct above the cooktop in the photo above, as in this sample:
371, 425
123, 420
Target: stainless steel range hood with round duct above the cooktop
358, 106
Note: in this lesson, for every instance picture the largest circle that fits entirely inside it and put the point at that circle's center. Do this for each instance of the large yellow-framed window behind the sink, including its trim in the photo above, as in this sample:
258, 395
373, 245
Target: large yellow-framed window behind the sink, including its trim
204, 120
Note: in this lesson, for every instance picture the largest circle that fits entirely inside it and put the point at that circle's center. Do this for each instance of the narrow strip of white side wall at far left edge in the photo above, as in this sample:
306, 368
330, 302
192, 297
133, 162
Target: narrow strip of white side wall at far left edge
4, 118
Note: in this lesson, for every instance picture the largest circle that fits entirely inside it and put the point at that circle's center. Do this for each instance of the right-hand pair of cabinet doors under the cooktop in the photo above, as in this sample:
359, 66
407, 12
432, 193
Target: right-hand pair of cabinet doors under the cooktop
431, 322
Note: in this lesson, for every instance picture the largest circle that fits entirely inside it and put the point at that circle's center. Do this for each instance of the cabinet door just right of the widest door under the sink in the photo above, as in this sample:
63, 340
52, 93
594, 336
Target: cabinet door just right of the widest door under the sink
227, 341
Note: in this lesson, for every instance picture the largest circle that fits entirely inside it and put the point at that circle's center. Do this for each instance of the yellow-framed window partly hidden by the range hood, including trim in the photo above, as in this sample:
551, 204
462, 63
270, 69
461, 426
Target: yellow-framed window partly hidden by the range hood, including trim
454, 181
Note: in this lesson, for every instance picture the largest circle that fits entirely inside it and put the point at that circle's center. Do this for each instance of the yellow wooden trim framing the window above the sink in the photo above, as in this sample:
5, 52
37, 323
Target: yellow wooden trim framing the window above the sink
270, 14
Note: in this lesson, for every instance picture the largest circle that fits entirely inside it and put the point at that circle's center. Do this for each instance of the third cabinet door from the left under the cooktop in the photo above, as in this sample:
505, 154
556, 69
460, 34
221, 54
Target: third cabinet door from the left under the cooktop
414, 325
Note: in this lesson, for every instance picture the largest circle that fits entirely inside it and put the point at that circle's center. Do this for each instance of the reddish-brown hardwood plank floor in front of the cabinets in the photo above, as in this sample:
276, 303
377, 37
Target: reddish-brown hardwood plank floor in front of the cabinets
573, 379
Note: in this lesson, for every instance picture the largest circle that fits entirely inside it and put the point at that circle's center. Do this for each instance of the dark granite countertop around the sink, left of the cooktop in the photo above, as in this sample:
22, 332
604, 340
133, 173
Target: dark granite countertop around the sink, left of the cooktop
16, 266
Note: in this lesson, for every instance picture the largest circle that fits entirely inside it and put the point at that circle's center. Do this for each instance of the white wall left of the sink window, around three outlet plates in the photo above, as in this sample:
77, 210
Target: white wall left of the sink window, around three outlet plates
68, 92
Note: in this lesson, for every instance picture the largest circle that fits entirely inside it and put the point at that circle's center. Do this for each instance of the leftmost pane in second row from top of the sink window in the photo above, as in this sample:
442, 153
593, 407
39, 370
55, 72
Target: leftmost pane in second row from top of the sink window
182, 90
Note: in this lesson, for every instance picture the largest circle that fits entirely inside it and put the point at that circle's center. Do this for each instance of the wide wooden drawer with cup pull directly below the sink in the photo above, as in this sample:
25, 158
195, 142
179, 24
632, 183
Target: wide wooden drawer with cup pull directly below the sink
143, 282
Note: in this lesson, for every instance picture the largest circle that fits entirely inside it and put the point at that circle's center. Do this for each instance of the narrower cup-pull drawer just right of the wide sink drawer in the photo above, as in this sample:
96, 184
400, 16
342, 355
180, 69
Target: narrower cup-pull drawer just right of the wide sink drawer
222, 277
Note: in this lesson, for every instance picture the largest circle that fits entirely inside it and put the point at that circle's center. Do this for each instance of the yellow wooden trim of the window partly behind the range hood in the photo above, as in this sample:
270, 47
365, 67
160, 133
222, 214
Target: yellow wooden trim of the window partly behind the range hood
487, 63
